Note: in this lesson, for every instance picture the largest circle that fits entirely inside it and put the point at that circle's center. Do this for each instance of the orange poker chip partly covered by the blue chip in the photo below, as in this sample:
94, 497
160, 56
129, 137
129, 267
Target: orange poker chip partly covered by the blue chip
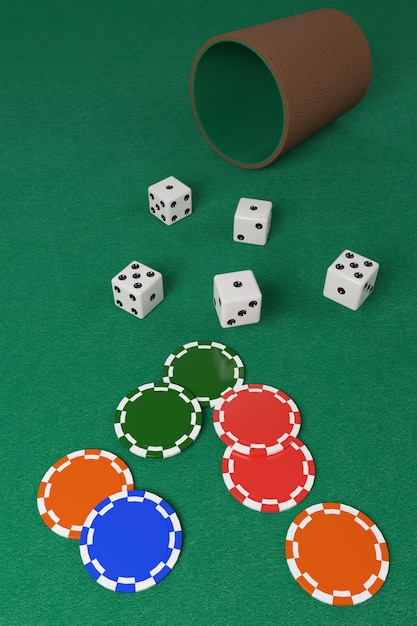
75, 484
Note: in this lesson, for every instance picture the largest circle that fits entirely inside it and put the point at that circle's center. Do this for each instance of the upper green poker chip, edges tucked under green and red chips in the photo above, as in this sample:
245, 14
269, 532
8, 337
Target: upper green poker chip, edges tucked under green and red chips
206, 368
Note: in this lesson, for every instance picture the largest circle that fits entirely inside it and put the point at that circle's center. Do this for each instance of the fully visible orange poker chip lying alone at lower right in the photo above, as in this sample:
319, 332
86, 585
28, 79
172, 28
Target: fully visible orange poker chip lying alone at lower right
337, 554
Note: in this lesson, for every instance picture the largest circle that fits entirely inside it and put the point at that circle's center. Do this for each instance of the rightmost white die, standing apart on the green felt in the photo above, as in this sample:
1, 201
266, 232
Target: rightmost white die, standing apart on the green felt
350, 279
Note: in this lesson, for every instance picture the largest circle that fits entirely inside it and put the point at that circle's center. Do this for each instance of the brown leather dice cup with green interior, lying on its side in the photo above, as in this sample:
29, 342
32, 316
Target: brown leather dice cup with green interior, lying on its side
259, 91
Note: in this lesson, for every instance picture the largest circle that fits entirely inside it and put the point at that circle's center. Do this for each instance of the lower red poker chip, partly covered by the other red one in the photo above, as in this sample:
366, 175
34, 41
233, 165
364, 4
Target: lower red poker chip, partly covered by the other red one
270, 483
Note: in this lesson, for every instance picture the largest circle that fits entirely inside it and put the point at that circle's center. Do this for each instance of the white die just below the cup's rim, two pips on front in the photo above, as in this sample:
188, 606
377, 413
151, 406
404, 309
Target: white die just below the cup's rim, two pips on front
252, 221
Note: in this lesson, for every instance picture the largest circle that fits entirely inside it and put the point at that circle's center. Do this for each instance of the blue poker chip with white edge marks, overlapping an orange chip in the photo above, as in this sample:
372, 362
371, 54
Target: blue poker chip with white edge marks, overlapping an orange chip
130, 541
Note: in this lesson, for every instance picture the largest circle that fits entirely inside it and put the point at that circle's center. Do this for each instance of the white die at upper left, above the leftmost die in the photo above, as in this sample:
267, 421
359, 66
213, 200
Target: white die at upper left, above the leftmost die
170, 200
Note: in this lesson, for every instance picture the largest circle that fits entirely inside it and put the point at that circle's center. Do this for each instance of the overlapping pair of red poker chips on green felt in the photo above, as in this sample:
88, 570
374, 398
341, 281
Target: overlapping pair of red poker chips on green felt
265, 466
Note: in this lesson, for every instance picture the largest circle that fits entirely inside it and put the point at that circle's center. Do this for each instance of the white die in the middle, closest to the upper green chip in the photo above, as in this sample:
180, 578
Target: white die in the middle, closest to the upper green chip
237, 298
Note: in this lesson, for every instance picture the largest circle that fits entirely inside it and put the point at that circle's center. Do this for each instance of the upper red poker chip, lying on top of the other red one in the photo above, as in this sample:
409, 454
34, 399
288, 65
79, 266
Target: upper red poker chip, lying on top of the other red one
256, 419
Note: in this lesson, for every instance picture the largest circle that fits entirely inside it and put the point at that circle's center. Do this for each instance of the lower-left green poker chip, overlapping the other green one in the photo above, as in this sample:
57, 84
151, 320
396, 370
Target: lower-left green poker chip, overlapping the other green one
158, 420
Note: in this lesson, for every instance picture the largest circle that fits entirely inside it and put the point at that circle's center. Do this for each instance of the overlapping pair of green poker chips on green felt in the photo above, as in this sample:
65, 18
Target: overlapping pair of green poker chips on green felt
161, 419
